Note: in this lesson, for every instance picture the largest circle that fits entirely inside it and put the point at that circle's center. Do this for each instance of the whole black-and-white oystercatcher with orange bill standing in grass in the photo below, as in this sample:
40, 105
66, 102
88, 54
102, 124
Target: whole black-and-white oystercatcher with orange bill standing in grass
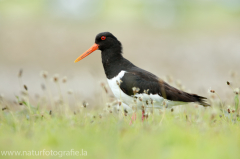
132, 84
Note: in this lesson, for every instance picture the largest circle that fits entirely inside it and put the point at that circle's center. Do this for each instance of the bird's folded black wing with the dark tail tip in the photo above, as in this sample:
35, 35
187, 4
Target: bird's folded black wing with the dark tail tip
144, 80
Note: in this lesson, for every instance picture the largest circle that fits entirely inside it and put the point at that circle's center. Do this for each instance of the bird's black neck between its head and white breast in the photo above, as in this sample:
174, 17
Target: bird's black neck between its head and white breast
114, 62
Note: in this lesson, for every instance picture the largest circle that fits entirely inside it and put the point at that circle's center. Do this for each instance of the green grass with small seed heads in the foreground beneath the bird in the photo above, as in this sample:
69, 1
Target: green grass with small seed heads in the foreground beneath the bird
188, 132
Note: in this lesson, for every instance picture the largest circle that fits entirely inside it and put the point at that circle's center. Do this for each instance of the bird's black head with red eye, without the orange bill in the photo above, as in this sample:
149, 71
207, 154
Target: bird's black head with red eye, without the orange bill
106, 40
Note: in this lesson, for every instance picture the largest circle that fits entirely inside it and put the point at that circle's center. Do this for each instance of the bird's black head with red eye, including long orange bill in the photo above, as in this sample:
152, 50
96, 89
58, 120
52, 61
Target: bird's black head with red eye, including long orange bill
103, 41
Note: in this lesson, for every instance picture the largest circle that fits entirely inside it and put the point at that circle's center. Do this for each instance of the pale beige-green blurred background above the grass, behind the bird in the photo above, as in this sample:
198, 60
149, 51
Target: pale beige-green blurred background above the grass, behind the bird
195, 41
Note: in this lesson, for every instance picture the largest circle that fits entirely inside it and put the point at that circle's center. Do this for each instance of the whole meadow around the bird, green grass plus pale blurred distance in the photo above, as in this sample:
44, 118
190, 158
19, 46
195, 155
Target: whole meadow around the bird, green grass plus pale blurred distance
53, 116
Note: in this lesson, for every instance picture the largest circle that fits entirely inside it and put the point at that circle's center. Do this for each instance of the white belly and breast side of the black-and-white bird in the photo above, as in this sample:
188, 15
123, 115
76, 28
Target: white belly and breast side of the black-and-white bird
159, 102
